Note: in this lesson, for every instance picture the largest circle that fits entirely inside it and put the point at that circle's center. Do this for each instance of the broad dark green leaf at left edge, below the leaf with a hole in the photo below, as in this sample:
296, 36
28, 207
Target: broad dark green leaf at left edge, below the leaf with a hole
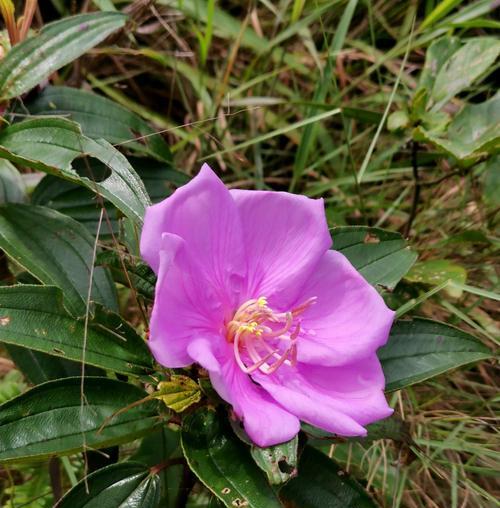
58, 251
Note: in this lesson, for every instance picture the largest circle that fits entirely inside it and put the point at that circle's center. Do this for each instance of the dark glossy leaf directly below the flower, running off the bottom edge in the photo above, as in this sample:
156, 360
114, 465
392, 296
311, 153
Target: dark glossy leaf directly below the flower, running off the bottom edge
223, 463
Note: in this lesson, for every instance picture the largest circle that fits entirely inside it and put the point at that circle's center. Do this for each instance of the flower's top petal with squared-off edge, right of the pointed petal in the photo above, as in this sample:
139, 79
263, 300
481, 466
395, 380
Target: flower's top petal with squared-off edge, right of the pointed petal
285, 235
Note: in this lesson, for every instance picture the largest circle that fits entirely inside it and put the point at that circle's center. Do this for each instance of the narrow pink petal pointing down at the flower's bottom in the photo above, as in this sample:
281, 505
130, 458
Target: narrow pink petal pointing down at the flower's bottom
264, 420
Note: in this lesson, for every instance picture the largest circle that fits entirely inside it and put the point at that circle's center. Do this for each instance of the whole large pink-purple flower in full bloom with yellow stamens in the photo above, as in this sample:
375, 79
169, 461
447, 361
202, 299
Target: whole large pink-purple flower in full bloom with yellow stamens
248, 288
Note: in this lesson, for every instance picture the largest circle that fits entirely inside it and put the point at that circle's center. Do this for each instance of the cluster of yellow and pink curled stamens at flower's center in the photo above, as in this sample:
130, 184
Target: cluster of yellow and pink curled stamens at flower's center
264, 339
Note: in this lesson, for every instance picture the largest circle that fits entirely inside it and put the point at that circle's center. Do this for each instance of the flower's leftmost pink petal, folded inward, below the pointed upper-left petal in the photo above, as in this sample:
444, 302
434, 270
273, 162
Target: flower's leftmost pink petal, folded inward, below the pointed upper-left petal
184, 309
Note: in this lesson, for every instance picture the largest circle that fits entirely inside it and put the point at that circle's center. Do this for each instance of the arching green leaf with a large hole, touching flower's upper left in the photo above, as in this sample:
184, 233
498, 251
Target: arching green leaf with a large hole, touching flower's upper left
51, 144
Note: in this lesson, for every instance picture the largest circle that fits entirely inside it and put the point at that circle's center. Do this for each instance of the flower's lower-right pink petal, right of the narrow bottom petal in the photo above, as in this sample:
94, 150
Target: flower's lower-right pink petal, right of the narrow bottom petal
337, 399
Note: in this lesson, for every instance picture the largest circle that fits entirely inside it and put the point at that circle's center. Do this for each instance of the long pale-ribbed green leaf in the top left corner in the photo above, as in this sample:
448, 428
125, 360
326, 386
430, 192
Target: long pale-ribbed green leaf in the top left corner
57, 44
